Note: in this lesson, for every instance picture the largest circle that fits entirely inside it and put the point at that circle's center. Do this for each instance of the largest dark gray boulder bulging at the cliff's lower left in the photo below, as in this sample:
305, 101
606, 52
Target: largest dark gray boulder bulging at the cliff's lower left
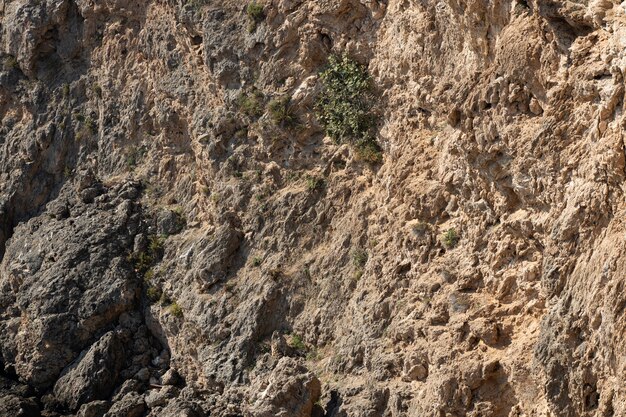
64, 280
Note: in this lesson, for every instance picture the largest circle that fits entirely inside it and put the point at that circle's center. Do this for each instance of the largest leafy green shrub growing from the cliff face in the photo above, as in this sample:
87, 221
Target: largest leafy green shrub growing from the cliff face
345, 106
